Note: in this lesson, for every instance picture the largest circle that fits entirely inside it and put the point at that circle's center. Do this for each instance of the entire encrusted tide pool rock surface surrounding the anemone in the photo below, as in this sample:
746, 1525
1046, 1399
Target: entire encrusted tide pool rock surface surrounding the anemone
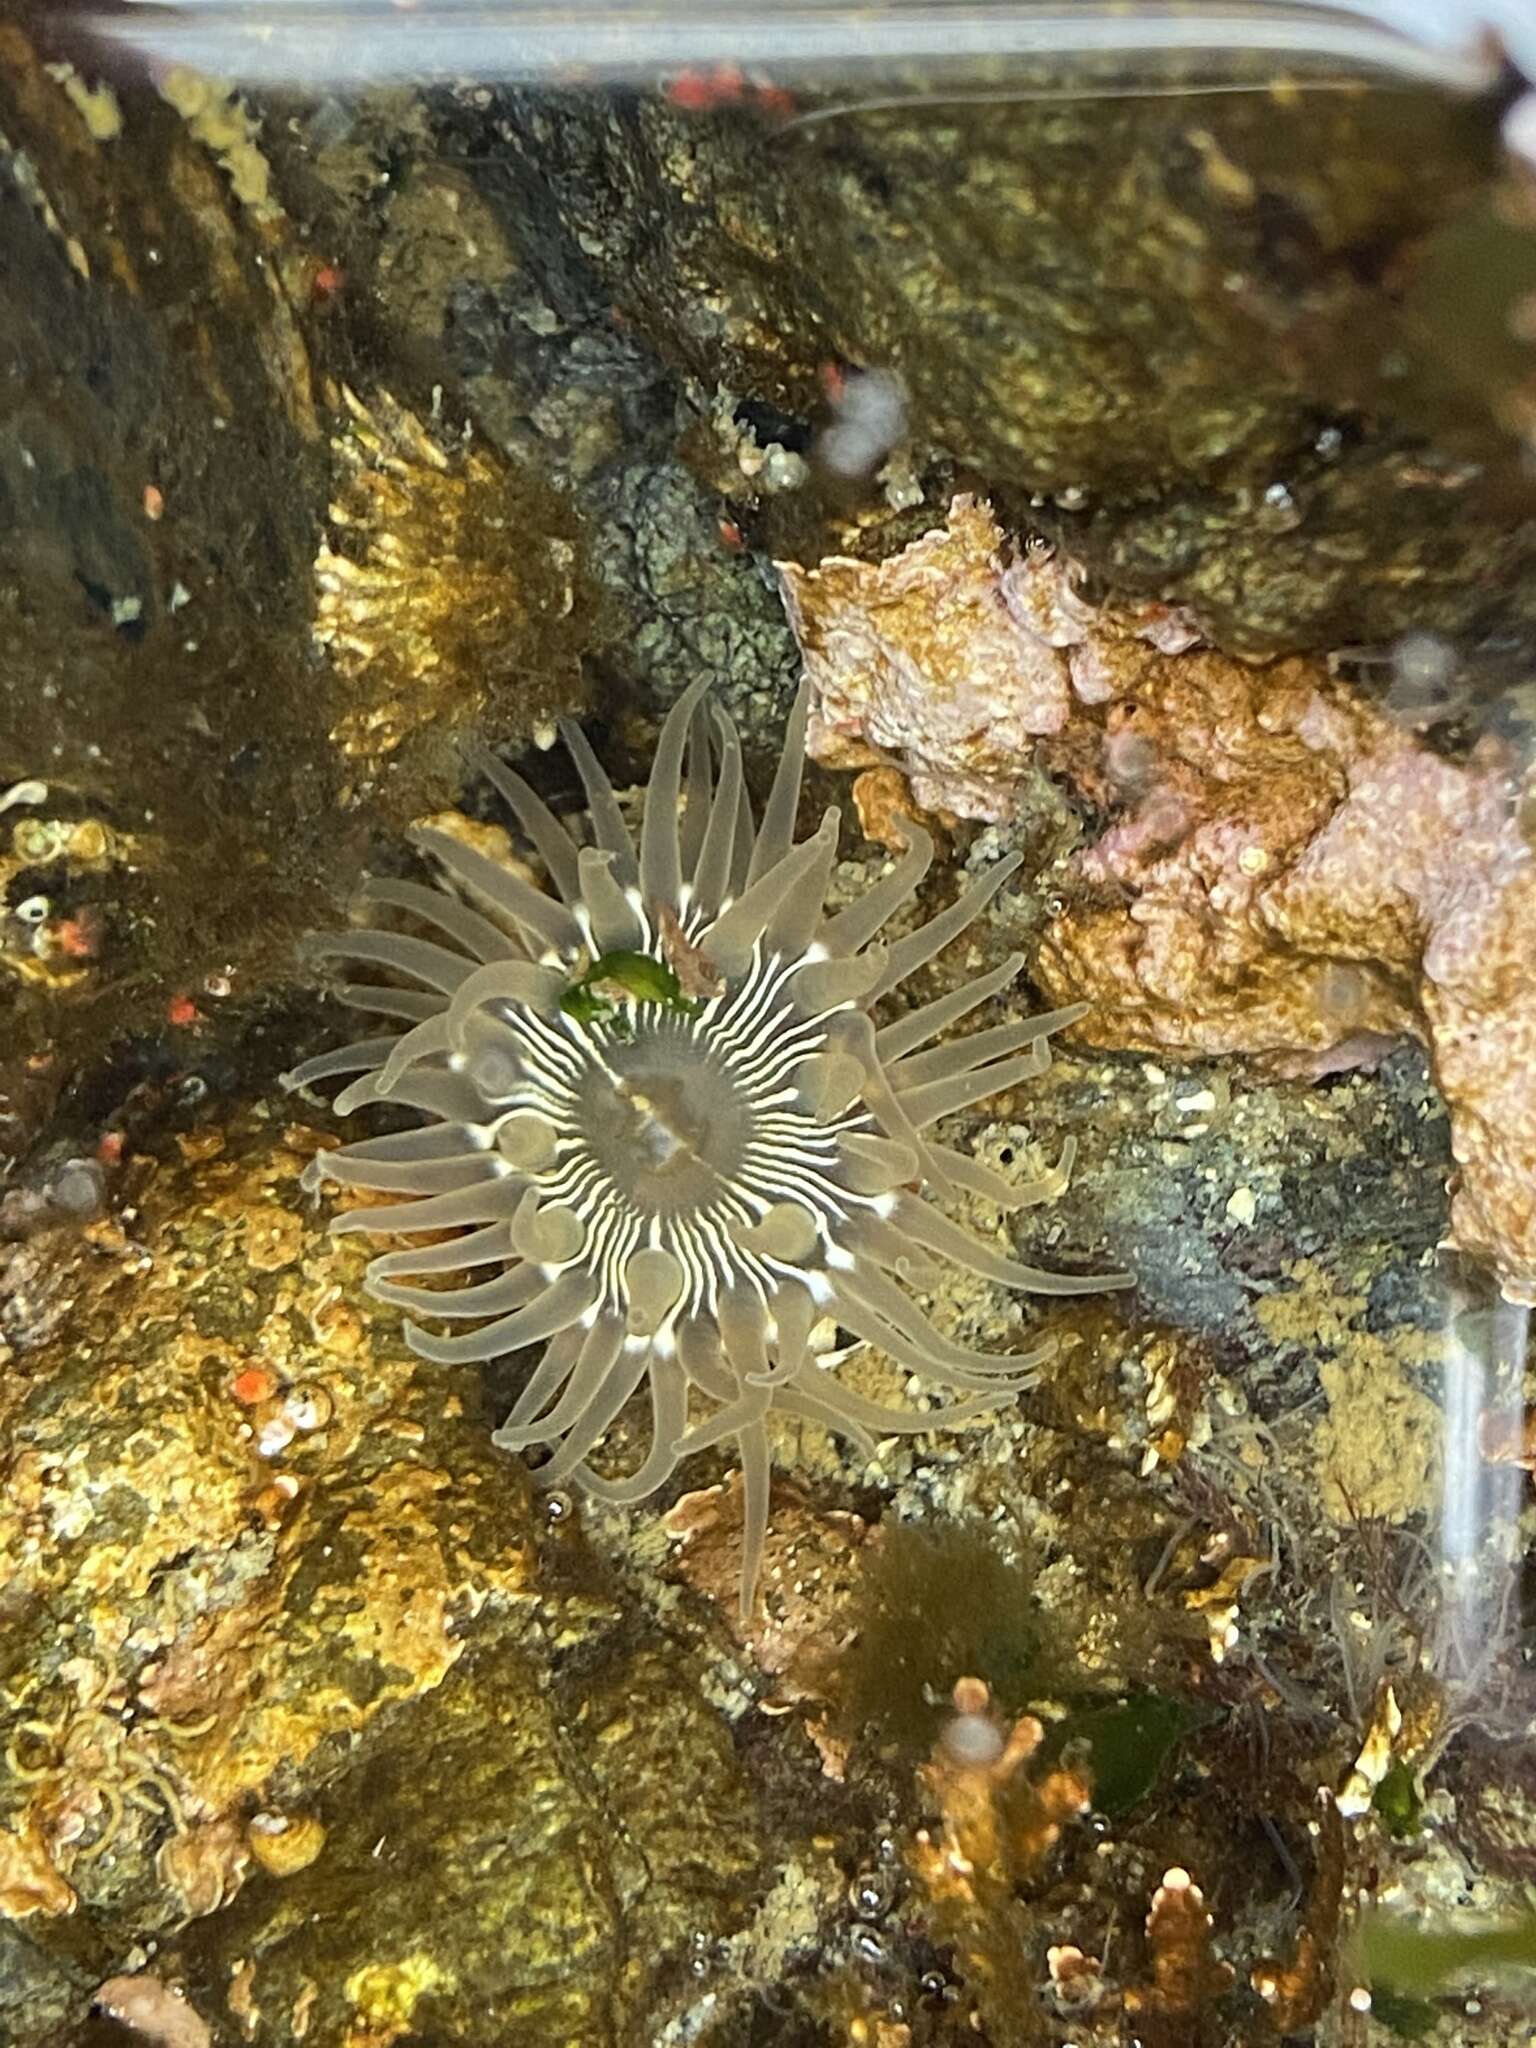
349, 427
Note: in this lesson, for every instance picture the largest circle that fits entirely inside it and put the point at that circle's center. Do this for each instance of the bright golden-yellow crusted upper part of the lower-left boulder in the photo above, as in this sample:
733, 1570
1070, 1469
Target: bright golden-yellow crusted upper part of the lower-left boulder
241, 1416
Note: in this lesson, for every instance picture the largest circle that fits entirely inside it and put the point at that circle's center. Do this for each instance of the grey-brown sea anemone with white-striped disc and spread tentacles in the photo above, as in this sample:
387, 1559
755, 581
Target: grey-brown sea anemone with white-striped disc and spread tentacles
669, 1187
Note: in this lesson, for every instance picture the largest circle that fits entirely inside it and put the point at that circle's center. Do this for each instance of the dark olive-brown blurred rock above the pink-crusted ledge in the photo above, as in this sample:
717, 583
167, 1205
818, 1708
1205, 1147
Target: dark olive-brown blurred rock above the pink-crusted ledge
1207, 331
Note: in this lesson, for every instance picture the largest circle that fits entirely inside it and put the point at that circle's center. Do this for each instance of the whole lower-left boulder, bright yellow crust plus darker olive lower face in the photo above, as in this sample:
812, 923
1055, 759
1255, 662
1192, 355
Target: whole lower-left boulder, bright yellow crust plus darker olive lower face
265, 1580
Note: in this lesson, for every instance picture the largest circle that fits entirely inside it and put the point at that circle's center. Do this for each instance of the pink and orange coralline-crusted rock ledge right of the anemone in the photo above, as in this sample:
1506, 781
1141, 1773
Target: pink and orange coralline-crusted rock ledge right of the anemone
1283, 871
